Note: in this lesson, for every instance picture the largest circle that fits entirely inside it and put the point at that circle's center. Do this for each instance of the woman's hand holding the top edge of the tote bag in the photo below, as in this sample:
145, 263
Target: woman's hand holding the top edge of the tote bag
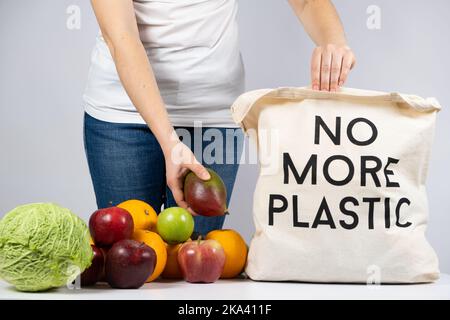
330, 66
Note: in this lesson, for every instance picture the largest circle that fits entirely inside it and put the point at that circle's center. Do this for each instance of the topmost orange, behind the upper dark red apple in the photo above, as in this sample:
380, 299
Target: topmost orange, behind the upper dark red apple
144, 216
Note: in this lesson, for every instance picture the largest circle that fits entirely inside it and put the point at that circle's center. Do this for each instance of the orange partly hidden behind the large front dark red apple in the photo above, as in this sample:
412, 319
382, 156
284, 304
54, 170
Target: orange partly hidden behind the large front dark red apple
153, 240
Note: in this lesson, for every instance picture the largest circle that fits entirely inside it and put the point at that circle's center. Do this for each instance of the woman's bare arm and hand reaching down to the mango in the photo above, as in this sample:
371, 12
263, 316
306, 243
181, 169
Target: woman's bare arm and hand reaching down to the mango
119, 29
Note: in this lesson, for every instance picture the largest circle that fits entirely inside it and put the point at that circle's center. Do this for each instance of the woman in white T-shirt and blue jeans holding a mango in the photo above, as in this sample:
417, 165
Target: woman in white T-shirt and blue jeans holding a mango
166, 65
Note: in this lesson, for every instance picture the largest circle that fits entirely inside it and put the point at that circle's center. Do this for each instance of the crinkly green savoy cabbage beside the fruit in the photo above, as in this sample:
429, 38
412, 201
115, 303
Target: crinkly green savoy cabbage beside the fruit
42, 246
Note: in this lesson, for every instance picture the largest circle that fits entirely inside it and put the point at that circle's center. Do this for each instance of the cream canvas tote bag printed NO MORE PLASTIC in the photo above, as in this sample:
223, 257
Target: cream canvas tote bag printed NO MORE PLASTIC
341, 194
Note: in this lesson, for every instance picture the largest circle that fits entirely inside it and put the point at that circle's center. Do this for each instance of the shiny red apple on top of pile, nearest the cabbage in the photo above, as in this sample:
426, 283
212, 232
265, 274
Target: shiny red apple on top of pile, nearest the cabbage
109, 225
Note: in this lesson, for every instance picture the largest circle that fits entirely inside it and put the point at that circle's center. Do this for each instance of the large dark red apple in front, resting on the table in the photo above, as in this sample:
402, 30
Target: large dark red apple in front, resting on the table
129, 264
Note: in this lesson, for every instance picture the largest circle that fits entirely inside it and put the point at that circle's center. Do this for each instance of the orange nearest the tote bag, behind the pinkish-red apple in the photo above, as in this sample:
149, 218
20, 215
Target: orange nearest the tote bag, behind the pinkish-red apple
235, 251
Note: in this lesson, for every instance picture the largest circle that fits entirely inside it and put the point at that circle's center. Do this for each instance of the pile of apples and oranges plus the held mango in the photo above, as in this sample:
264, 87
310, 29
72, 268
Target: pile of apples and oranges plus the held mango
132, 244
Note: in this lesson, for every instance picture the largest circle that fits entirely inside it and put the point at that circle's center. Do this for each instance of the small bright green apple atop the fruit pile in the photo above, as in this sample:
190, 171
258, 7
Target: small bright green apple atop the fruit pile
175, 225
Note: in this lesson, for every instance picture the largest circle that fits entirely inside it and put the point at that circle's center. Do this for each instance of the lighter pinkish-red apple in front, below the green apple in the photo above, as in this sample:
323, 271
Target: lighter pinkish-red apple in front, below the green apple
201, 260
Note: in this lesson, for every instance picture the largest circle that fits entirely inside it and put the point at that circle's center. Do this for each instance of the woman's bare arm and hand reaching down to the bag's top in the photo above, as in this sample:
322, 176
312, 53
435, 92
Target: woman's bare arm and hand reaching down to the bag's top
332, 59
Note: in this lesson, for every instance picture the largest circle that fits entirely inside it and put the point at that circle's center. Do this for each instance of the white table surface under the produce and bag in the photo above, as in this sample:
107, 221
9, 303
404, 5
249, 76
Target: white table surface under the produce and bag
242, 289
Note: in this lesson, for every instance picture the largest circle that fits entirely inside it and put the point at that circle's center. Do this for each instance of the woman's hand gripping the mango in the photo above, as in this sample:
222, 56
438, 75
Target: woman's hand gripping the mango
179, 161
